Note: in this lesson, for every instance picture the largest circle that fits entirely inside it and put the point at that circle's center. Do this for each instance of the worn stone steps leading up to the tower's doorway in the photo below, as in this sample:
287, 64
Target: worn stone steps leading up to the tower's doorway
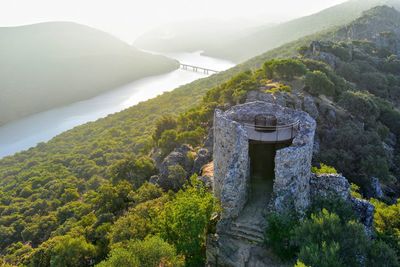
246, 232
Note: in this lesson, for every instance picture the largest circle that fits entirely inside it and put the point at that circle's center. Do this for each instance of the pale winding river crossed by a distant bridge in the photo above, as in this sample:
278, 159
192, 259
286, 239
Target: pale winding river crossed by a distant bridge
41, 127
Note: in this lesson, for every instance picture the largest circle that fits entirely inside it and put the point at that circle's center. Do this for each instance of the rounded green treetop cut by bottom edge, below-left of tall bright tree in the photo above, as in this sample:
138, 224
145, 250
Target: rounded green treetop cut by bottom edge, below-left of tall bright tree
151, 252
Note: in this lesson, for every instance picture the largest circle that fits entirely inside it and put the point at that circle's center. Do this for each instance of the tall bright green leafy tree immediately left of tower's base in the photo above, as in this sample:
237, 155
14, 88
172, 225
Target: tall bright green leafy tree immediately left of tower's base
184, 222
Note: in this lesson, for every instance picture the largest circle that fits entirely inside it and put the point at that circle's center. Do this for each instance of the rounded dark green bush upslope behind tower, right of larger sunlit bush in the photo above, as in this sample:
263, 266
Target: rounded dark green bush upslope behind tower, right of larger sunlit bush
318, 83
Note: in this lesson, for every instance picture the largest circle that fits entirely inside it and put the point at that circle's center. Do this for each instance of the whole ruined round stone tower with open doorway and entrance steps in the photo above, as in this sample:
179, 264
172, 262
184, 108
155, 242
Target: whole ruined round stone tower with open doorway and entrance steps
262, 161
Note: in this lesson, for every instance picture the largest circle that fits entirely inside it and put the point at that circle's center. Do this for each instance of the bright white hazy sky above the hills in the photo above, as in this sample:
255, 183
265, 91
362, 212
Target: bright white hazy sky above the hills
129, 18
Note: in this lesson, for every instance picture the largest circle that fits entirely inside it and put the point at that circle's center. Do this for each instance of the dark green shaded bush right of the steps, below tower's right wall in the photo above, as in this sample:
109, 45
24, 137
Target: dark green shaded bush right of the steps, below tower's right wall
279, 234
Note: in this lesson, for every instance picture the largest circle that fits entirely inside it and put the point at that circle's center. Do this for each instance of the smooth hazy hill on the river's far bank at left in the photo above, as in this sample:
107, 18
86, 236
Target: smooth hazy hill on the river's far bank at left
51, 64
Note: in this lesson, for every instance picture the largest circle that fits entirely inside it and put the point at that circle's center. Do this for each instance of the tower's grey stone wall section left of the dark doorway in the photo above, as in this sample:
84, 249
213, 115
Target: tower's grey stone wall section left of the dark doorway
231, 165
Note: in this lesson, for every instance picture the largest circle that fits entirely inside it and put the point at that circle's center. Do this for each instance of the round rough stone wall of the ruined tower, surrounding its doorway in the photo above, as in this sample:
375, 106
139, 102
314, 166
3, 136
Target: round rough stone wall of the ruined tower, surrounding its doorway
232, 163
